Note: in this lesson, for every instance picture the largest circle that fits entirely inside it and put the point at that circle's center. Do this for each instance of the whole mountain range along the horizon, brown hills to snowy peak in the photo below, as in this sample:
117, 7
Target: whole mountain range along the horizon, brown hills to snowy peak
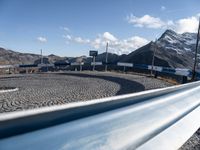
172, 50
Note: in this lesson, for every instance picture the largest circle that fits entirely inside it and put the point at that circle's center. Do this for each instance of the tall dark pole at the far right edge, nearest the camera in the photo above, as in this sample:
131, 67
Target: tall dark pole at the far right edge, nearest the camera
196, 51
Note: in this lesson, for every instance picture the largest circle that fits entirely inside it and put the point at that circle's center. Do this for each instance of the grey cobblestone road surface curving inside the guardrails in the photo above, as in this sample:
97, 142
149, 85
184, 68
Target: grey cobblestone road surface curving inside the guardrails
37, 90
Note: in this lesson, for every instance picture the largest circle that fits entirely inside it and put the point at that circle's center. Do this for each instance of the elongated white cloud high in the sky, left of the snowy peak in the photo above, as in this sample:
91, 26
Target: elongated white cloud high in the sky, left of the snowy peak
146, 21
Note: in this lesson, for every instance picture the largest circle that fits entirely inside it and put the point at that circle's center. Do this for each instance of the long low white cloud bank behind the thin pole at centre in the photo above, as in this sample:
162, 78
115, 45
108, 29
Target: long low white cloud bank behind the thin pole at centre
118, 46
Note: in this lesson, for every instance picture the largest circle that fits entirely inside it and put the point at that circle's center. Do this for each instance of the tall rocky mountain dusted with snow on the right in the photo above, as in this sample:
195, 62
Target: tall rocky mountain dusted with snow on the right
171, 50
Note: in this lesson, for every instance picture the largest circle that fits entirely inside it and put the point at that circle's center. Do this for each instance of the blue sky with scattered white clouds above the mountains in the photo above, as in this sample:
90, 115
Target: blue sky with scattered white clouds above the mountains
73, 27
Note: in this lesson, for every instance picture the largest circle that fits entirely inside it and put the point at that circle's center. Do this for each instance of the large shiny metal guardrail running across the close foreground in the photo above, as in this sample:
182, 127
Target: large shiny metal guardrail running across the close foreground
155, 119
